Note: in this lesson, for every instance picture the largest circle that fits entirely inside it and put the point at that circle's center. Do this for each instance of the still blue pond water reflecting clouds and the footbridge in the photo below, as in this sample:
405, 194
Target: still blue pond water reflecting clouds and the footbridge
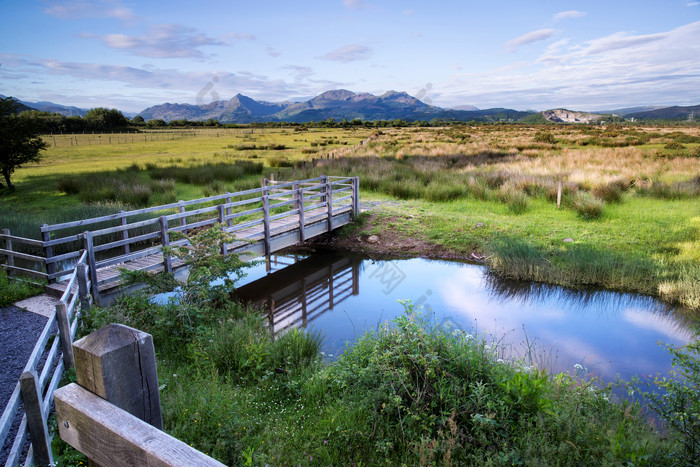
610, 334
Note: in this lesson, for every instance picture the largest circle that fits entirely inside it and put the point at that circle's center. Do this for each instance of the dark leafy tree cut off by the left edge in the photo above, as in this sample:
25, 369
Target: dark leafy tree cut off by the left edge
20, 142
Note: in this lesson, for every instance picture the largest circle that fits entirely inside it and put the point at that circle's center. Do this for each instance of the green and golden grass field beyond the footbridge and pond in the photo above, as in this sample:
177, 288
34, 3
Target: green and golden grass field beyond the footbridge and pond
629, 195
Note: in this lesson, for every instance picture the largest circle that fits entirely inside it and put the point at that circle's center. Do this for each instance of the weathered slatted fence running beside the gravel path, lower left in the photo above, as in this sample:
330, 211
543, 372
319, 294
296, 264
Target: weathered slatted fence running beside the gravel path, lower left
35, 389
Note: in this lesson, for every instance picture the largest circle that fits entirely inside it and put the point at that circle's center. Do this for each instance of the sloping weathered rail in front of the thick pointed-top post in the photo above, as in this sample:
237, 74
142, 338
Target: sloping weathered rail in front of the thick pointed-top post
111, 436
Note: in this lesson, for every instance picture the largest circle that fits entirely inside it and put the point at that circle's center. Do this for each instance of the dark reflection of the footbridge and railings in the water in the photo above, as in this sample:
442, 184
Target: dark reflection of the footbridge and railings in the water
301, 292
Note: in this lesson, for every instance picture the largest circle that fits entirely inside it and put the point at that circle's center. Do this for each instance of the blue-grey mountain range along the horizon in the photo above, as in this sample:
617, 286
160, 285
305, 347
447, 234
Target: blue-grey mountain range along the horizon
343, 104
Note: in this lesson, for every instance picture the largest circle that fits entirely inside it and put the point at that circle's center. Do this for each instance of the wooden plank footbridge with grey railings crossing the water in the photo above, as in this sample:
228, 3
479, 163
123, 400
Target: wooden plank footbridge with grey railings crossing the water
262, 220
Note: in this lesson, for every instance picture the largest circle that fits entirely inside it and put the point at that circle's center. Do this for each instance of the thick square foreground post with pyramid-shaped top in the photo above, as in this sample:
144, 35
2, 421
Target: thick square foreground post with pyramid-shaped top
118, 363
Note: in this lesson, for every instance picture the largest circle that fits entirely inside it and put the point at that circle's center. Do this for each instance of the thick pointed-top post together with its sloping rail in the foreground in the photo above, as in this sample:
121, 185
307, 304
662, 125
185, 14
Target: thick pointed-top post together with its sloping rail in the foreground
113, 414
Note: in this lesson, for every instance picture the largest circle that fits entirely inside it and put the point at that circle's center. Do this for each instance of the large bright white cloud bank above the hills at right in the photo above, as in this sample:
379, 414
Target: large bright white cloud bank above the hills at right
615, 70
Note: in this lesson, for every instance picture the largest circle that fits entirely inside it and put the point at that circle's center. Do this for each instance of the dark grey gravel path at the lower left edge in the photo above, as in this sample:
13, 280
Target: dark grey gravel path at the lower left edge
19, 330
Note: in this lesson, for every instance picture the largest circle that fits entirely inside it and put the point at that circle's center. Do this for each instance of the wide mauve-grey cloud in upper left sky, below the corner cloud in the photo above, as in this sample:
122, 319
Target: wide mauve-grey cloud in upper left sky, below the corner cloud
163, 41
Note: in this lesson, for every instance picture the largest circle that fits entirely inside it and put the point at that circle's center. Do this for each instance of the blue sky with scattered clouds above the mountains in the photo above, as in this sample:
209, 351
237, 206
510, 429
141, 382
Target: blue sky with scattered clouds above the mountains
520, 54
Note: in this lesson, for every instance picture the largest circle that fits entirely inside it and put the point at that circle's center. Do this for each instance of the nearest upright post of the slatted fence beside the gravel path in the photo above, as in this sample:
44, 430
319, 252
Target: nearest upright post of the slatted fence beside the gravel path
33, 408
